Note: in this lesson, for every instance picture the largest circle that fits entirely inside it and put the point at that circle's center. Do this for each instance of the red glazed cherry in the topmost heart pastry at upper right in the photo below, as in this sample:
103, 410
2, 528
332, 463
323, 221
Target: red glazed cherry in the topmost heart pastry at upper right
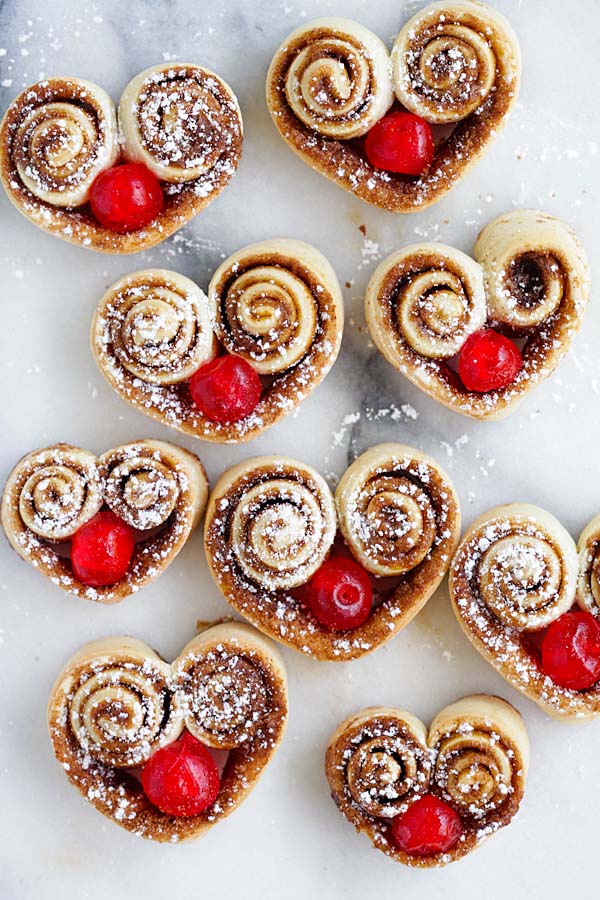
400, 142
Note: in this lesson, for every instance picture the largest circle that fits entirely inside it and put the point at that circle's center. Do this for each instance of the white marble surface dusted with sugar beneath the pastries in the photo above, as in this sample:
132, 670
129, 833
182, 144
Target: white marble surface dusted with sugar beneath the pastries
288, 840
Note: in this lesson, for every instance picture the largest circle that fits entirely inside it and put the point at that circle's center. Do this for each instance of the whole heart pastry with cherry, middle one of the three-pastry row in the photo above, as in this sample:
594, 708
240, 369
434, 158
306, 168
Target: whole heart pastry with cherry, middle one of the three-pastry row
332, 577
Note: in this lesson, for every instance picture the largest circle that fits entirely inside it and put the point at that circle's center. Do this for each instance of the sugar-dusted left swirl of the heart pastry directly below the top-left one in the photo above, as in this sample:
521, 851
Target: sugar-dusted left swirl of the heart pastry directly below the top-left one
157, 324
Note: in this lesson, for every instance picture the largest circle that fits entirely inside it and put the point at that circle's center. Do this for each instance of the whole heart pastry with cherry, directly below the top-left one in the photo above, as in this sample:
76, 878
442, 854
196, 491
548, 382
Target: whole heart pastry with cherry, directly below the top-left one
274, 309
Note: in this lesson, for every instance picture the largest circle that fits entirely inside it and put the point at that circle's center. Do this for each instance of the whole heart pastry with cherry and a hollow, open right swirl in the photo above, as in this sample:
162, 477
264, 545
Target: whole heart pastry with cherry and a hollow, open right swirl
449, 323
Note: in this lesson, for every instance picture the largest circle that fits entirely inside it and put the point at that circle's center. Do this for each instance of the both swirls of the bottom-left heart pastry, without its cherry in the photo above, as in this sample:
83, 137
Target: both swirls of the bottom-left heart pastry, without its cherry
117, 702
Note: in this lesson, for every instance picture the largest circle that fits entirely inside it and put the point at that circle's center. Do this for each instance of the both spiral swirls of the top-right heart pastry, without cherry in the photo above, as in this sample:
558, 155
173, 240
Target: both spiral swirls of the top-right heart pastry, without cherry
339, 78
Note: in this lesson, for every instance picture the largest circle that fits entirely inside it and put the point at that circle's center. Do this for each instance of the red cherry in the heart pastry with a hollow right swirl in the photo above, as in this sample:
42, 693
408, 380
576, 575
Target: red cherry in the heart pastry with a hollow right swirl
488, 361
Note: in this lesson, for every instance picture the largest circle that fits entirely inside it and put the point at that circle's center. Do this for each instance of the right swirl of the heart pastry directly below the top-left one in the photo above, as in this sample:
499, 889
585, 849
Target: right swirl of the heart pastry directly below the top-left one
266, 302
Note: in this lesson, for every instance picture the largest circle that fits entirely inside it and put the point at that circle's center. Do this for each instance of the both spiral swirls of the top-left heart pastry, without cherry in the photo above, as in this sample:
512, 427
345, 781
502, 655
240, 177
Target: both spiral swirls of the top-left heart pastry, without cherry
181, 121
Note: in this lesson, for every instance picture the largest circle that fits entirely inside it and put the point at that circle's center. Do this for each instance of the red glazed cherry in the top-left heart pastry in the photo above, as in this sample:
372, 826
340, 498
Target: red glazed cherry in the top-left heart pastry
125, 198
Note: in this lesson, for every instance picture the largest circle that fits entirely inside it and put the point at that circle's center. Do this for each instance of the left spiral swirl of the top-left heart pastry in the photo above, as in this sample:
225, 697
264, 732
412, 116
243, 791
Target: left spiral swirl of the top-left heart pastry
65, 134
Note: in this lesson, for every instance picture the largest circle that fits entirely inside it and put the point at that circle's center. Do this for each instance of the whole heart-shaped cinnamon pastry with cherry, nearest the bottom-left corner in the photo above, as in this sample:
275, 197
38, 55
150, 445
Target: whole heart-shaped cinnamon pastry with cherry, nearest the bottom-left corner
119, 716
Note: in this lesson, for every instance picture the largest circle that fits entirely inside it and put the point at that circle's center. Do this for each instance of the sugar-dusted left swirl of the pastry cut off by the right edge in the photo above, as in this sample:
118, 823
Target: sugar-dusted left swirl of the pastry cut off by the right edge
520, 564
